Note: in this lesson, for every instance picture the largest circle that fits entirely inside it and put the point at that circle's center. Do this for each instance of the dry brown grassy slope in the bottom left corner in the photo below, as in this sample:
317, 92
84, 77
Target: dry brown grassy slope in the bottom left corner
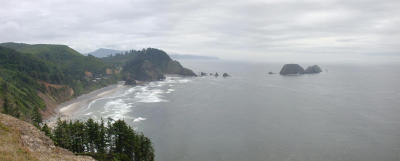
20, 140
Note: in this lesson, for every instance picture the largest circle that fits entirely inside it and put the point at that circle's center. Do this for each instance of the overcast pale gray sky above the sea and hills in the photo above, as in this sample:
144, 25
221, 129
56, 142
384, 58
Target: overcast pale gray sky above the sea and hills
285, 30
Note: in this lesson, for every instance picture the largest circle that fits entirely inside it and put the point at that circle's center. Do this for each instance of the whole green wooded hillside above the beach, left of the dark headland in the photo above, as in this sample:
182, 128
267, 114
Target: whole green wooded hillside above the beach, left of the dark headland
27, 70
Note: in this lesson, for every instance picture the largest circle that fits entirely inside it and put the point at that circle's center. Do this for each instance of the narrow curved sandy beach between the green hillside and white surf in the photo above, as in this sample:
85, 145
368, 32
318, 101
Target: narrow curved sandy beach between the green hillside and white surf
65, 110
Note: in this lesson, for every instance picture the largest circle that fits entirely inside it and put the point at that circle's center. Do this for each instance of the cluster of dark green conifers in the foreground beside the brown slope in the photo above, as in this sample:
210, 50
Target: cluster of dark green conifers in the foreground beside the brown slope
103, 141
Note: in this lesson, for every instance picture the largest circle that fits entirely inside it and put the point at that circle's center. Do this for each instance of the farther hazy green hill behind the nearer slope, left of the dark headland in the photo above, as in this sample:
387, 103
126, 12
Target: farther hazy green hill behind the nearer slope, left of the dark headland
70, 64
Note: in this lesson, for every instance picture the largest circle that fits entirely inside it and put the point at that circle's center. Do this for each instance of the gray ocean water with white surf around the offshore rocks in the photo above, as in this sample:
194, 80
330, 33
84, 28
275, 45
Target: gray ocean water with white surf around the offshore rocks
350, 112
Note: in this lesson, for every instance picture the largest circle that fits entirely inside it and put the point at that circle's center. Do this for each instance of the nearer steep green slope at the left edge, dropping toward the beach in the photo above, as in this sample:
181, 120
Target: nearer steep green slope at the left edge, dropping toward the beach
18, 83
